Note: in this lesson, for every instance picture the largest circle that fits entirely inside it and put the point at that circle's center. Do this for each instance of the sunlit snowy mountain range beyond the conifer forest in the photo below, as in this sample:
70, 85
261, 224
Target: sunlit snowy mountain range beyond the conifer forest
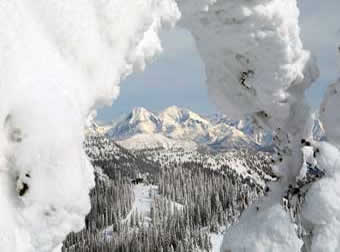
177, 127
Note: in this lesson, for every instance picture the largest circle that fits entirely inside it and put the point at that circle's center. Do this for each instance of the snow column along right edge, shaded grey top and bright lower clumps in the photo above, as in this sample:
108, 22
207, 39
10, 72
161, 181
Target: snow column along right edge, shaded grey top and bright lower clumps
322, 205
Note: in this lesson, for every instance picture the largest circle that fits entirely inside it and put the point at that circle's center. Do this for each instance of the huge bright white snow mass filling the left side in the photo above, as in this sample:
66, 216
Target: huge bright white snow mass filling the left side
59, 59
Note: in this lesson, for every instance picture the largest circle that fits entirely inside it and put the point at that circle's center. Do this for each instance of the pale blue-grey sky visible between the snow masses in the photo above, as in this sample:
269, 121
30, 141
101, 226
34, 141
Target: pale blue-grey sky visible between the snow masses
177, 76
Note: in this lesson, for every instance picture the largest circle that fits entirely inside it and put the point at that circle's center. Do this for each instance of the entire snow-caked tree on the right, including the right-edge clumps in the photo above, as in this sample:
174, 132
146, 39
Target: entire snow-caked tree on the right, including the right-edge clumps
255, 64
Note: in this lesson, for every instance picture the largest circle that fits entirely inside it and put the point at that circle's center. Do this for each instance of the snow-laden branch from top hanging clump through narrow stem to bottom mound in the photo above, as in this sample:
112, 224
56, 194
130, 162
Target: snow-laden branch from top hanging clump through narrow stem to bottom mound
255, 64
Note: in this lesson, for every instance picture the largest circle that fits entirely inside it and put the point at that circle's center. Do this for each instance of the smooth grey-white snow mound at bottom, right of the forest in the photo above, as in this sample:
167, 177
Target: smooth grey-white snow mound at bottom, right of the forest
262, 231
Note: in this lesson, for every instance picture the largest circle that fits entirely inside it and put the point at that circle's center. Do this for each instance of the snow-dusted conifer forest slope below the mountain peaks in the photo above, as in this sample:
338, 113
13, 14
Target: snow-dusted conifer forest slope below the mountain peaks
189, 200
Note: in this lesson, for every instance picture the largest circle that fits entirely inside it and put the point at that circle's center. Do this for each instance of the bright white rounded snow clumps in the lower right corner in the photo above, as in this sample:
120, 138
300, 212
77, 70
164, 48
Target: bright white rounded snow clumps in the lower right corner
322, 204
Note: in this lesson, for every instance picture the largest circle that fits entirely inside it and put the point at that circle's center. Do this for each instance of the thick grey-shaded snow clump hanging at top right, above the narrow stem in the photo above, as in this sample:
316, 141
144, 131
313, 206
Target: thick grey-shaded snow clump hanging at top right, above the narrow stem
260, 38
